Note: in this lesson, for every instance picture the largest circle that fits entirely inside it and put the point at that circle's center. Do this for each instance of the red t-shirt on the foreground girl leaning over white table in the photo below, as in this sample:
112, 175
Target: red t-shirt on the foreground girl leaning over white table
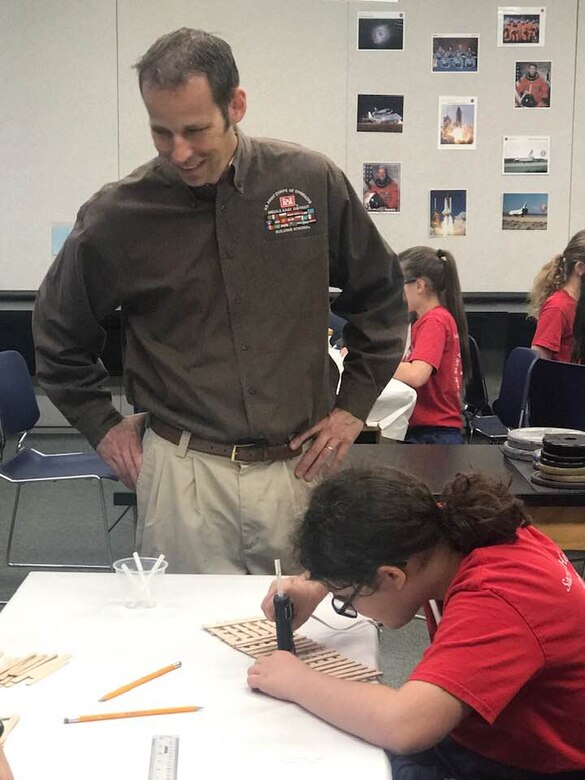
511, 645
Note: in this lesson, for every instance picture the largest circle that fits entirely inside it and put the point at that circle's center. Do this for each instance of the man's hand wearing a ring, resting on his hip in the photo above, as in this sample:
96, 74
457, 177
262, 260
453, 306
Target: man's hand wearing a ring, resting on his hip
333, 436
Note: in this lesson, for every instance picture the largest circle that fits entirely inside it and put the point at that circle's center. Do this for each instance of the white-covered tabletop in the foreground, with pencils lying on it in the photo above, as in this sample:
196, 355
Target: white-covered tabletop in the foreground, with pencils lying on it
239, 733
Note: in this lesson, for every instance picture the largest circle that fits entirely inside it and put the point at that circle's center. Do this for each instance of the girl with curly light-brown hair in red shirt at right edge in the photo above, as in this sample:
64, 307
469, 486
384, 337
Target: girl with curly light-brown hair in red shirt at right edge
558, 306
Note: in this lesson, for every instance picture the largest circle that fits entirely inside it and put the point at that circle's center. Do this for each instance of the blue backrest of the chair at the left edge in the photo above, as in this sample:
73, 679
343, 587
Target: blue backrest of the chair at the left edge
19, 411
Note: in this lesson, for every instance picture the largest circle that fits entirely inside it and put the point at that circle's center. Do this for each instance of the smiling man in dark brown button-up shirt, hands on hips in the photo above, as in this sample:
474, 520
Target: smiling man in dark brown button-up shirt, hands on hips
219, 253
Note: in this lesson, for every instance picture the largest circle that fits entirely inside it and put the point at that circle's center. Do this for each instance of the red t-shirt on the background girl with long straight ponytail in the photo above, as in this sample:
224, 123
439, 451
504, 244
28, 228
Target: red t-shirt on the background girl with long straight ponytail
434, 339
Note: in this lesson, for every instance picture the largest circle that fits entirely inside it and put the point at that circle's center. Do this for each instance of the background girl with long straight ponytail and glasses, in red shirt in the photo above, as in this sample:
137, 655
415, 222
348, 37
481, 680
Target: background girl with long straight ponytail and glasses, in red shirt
438, 357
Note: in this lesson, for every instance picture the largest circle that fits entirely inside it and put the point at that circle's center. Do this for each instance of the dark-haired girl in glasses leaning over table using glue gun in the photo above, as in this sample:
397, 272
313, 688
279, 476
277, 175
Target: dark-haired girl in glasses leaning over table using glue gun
500, 692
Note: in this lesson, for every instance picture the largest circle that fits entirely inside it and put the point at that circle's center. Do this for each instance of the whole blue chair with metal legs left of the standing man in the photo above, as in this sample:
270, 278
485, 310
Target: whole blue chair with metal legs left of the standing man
19, 413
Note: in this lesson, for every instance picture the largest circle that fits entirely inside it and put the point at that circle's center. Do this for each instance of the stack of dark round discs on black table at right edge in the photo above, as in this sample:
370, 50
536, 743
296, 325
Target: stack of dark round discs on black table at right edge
562, 461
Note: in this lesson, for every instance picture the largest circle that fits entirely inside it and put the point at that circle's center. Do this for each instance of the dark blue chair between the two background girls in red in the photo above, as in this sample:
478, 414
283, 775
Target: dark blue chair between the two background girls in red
510, 406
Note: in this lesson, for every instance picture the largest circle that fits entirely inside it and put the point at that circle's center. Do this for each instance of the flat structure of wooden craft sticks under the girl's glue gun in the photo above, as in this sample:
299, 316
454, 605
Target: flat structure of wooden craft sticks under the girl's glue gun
257, 636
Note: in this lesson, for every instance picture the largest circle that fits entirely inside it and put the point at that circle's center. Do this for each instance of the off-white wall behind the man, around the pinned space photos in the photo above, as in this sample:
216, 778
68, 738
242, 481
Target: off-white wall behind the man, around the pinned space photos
72, 118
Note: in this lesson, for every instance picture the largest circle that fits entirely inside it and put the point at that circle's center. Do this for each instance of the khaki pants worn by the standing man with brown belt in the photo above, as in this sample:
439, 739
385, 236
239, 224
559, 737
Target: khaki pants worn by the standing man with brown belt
211, 516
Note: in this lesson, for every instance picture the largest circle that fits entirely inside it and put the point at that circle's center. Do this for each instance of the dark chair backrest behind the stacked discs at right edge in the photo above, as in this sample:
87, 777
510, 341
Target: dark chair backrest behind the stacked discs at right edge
556, 396
